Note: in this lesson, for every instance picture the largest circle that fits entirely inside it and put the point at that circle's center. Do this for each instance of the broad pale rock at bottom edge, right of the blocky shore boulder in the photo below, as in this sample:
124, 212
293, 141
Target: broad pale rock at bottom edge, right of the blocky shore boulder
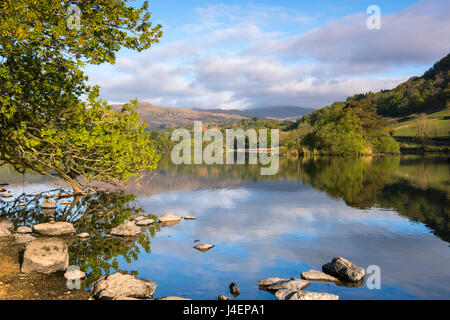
122, 285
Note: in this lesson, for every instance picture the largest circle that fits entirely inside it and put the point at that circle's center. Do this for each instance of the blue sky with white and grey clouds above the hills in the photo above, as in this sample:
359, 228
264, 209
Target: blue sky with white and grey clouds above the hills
264, 53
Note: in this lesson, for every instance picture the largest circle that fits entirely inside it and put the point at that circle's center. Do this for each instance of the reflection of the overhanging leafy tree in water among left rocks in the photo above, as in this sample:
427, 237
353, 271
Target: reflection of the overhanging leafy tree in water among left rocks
95, 214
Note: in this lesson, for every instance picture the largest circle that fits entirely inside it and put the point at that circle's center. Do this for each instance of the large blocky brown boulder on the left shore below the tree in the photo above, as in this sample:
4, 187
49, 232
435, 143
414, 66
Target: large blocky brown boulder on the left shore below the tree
45, 256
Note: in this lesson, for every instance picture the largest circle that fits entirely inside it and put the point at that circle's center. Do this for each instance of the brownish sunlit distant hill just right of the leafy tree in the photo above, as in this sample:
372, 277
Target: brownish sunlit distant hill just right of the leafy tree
166, 118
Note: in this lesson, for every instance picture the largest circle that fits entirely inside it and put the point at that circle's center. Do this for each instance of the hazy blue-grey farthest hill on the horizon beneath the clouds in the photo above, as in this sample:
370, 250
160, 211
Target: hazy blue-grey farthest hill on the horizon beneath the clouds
281, 113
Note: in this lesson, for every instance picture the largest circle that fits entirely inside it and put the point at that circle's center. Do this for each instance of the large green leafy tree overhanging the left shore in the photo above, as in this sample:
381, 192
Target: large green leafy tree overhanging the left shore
51, 122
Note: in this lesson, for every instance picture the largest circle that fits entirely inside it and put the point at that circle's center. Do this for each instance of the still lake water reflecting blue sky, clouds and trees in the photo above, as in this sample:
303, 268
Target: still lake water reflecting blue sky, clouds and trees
393, 212
